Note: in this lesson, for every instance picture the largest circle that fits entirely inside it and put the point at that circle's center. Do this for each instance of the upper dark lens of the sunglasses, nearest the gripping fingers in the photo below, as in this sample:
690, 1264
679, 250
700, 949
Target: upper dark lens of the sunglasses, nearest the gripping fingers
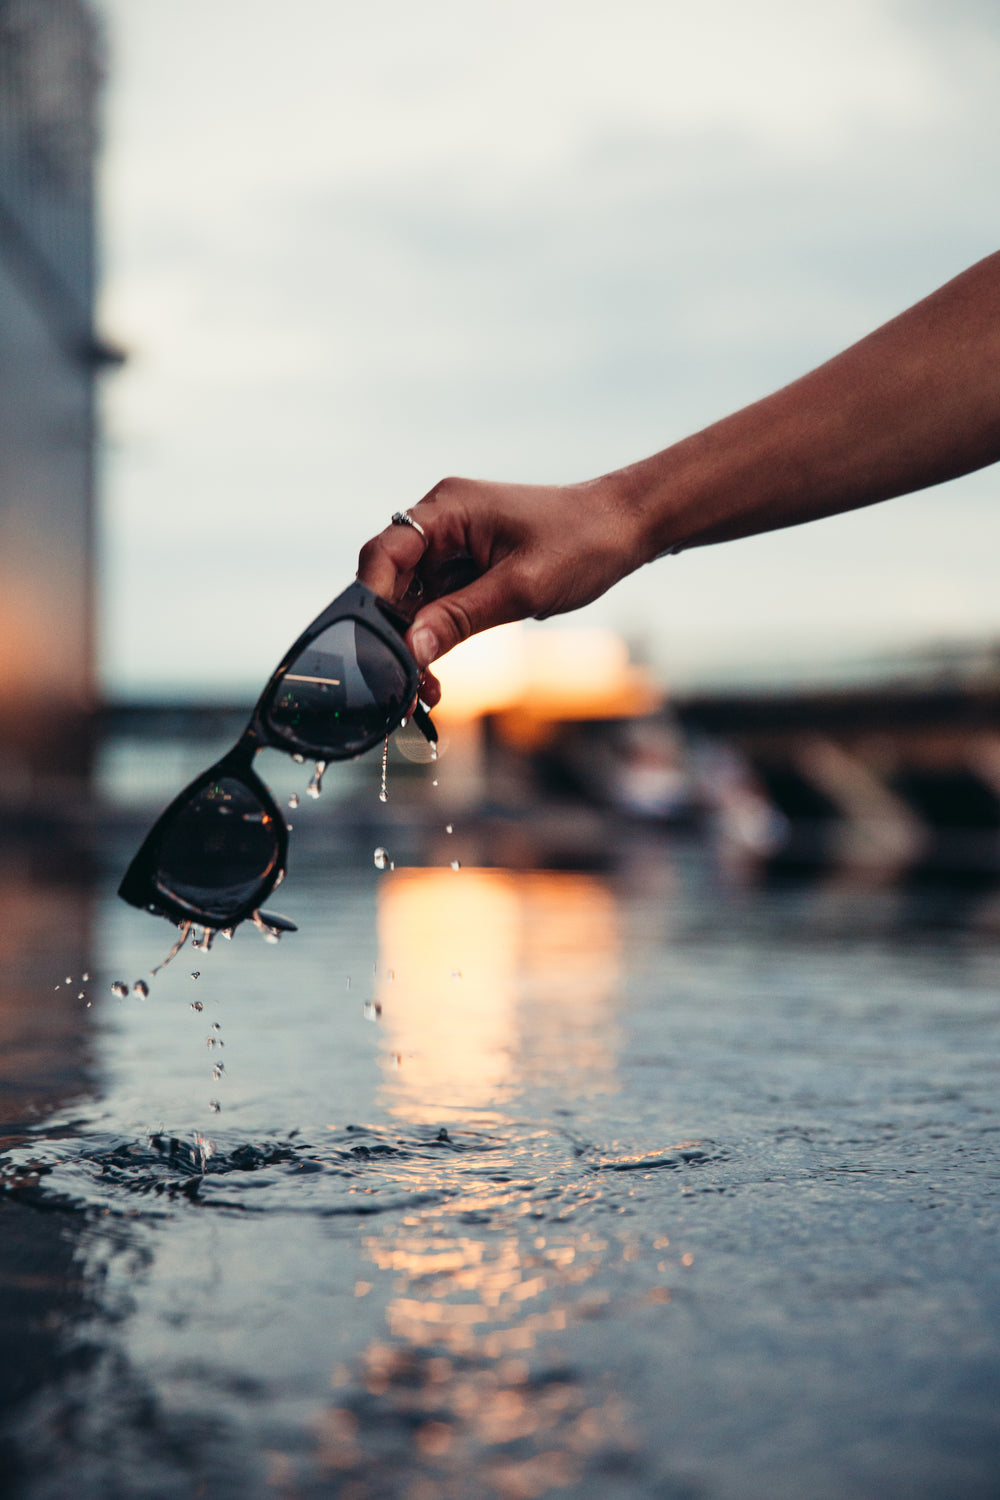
341, 695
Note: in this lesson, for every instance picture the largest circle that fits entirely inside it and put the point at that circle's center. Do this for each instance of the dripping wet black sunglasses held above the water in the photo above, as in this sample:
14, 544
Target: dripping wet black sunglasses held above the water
221, 848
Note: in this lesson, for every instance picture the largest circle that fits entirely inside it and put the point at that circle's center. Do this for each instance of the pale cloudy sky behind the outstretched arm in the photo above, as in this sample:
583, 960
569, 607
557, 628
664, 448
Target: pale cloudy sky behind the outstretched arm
352, 250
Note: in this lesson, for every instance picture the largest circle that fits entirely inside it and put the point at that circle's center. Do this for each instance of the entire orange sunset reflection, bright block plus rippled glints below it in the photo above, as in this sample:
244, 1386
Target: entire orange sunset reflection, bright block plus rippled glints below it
488, 983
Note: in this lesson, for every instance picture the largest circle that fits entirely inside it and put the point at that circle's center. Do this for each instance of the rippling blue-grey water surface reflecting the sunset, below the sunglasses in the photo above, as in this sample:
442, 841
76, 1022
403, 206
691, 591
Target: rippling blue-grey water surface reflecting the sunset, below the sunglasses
521, 1183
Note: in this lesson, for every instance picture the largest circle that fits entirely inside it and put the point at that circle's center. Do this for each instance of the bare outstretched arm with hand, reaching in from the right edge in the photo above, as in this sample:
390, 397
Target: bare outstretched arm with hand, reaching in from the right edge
914, 404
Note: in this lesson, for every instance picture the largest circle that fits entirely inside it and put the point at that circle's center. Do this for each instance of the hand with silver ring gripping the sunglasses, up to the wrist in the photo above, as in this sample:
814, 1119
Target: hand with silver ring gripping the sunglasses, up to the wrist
518, 551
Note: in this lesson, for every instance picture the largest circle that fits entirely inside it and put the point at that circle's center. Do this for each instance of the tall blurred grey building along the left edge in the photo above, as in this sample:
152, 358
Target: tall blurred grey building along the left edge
50, 74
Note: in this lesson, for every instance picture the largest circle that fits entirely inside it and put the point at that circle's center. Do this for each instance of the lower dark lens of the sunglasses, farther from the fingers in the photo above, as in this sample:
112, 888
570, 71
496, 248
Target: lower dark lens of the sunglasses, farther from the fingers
220, 853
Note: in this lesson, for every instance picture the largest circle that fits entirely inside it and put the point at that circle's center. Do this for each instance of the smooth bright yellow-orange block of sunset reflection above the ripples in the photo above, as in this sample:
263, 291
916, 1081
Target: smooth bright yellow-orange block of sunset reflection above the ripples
490, 979
